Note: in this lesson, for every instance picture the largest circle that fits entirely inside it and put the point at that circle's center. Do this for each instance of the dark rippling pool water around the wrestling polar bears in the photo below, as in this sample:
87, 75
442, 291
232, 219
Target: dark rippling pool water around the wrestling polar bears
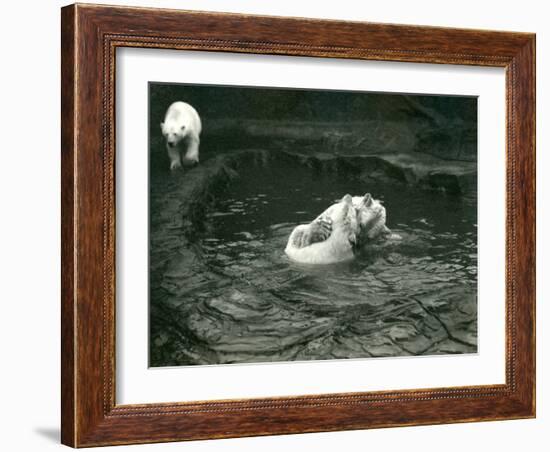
231, 295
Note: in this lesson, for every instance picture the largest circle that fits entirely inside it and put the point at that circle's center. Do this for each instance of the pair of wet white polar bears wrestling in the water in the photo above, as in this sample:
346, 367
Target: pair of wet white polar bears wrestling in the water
333, 235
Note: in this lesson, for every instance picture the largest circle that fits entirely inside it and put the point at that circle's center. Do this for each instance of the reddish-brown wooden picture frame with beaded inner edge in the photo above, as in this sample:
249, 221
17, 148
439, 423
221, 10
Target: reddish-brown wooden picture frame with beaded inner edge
90, 36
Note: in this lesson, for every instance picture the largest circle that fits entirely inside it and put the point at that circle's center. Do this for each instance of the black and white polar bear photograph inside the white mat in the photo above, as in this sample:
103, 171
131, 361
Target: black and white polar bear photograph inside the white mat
296, 224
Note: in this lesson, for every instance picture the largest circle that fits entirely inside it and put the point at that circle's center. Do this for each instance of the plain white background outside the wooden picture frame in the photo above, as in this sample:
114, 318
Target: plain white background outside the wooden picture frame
29, 226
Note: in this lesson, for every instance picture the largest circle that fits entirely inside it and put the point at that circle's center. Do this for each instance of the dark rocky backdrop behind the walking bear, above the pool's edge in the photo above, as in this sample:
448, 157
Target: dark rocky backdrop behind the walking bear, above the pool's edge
311, 121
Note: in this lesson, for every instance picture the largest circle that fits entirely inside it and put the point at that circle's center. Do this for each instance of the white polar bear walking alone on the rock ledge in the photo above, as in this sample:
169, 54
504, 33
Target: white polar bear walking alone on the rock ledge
181, 129
